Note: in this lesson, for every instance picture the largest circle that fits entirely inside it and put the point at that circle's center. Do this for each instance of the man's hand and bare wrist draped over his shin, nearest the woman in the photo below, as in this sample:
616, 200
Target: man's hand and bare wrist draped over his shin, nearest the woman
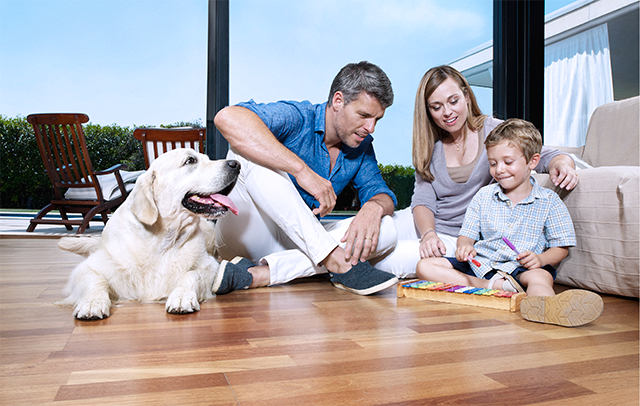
363, 232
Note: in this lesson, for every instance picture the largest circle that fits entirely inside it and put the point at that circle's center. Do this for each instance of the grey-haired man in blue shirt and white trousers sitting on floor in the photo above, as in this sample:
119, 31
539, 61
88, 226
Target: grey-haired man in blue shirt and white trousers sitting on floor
296, 157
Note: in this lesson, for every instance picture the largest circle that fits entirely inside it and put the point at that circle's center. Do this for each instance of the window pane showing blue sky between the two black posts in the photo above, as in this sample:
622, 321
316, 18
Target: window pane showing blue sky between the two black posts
293, 49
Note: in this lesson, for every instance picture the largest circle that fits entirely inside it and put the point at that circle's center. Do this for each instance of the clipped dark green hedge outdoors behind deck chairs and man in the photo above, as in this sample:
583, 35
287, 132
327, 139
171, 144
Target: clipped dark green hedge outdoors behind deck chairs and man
24, 184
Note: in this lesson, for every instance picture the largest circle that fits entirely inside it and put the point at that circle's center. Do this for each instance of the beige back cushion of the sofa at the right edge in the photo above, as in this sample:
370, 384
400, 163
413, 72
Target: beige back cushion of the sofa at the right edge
612, 138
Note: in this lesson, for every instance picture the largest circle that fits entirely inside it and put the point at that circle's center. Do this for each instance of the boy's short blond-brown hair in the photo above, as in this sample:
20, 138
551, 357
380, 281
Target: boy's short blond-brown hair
518, 133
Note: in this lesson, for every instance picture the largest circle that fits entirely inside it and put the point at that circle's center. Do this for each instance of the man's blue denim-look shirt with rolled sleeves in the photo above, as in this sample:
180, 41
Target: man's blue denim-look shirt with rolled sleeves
300, 127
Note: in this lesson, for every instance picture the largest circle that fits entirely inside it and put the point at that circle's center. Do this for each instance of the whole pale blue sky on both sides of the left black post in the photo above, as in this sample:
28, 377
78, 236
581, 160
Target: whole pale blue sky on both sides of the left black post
143, 62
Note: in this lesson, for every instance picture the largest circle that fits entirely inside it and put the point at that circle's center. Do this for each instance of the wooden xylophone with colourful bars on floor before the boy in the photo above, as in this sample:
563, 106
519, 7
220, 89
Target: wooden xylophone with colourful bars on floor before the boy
457, 294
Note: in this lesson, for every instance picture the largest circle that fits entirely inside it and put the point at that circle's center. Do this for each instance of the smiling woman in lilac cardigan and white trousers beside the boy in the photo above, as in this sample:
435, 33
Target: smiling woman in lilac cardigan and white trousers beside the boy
451, 166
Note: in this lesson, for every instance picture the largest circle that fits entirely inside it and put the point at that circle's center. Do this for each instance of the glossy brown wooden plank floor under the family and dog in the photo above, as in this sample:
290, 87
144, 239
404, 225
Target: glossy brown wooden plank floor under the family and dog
306, 343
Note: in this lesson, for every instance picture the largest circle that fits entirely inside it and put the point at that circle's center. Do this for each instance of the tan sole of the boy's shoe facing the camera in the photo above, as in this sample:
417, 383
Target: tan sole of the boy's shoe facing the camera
570, 308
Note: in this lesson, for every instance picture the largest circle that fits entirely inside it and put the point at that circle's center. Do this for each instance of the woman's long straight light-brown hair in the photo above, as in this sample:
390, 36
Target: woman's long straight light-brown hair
425, 131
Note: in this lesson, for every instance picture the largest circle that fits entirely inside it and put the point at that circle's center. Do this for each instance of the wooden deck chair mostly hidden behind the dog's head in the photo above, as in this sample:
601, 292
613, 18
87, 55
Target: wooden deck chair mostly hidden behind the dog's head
157, 141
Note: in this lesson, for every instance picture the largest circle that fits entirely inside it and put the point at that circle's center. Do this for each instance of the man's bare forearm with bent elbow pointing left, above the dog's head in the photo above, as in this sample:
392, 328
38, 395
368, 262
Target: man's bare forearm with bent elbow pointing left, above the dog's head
250, 137
